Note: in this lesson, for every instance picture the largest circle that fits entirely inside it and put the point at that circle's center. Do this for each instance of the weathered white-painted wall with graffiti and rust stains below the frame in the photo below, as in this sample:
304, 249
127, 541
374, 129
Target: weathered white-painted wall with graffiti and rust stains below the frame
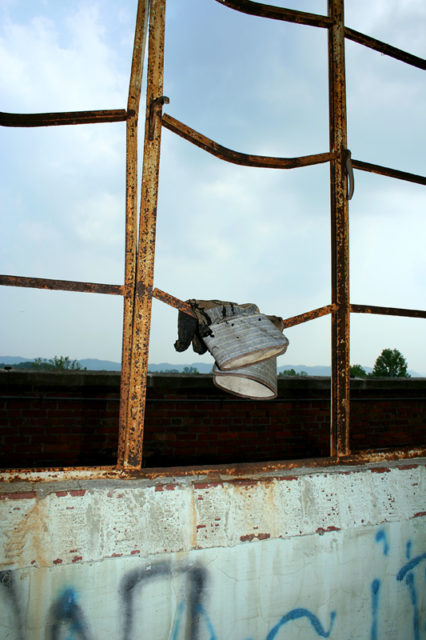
335, 553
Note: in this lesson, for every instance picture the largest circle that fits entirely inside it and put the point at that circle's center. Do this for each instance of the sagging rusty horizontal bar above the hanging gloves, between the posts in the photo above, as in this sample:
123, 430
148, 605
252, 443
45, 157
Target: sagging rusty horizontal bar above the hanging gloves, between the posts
236, 157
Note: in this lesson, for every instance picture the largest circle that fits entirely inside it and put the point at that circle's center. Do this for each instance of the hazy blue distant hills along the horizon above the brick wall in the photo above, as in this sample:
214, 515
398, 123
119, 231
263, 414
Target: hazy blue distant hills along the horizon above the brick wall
93, 364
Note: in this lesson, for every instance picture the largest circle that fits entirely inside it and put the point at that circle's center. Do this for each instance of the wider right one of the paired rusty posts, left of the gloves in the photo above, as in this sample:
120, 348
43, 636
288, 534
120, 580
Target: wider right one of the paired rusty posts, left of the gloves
131, 457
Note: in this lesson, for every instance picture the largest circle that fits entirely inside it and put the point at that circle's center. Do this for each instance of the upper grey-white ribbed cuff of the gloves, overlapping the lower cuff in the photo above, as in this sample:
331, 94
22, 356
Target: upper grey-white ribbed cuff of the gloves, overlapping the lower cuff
243, 340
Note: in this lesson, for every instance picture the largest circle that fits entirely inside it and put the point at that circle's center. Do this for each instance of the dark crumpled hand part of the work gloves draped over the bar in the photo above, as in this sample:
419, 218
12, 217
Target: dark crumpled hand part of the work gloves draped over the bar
207, 312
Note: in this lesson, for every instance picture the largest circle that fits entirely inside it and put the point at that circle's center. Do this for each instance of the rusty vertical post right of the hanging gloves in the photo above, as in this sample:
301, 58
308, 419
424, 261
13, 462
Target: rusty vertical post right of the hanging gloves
340, 373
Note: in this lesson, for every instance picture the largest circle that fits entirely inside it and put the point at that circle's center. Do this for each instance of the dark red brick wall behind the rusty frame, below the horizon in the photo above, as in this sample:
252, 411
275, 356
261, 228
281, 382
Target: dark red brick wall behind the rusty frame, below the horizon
70, 419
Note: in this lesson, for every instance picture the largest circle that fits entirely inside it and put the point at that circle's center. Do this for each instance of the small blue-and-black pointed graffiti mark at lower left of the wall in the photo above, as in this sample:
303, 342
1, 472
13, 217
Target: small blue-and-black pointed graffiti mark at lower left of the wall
65, 612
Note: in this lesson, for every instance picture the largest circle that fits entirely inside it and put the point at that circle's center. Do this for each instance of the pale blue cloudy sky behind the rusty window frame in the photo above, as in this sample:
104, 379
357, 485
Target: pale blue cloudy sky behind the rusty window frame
223, 231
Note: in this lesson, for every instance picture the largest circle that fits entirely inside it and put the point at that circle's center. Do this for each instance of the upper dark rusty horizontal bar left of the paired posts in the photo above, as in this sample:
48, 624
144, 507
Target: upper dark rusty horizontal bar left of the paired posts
58, 119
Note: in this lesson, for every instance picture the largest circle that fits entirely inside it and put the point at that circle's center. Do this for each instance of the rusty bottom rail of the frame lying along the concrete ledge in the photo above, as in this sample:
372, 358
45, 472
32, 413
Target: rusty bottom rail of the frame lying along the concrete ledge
215, 473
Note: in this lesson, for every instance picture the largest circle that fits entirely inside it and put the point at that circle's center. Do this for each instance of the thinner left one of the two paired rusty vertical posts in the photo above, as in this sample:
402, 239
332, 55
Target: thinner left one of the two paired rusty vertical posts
133, 102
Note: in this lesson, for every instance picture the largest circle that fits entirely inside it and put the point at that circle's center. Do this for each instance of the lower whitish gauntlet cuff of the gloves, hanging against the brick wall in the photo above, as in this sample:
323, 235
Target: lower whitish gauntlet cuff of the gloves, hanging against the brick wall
258, 381
